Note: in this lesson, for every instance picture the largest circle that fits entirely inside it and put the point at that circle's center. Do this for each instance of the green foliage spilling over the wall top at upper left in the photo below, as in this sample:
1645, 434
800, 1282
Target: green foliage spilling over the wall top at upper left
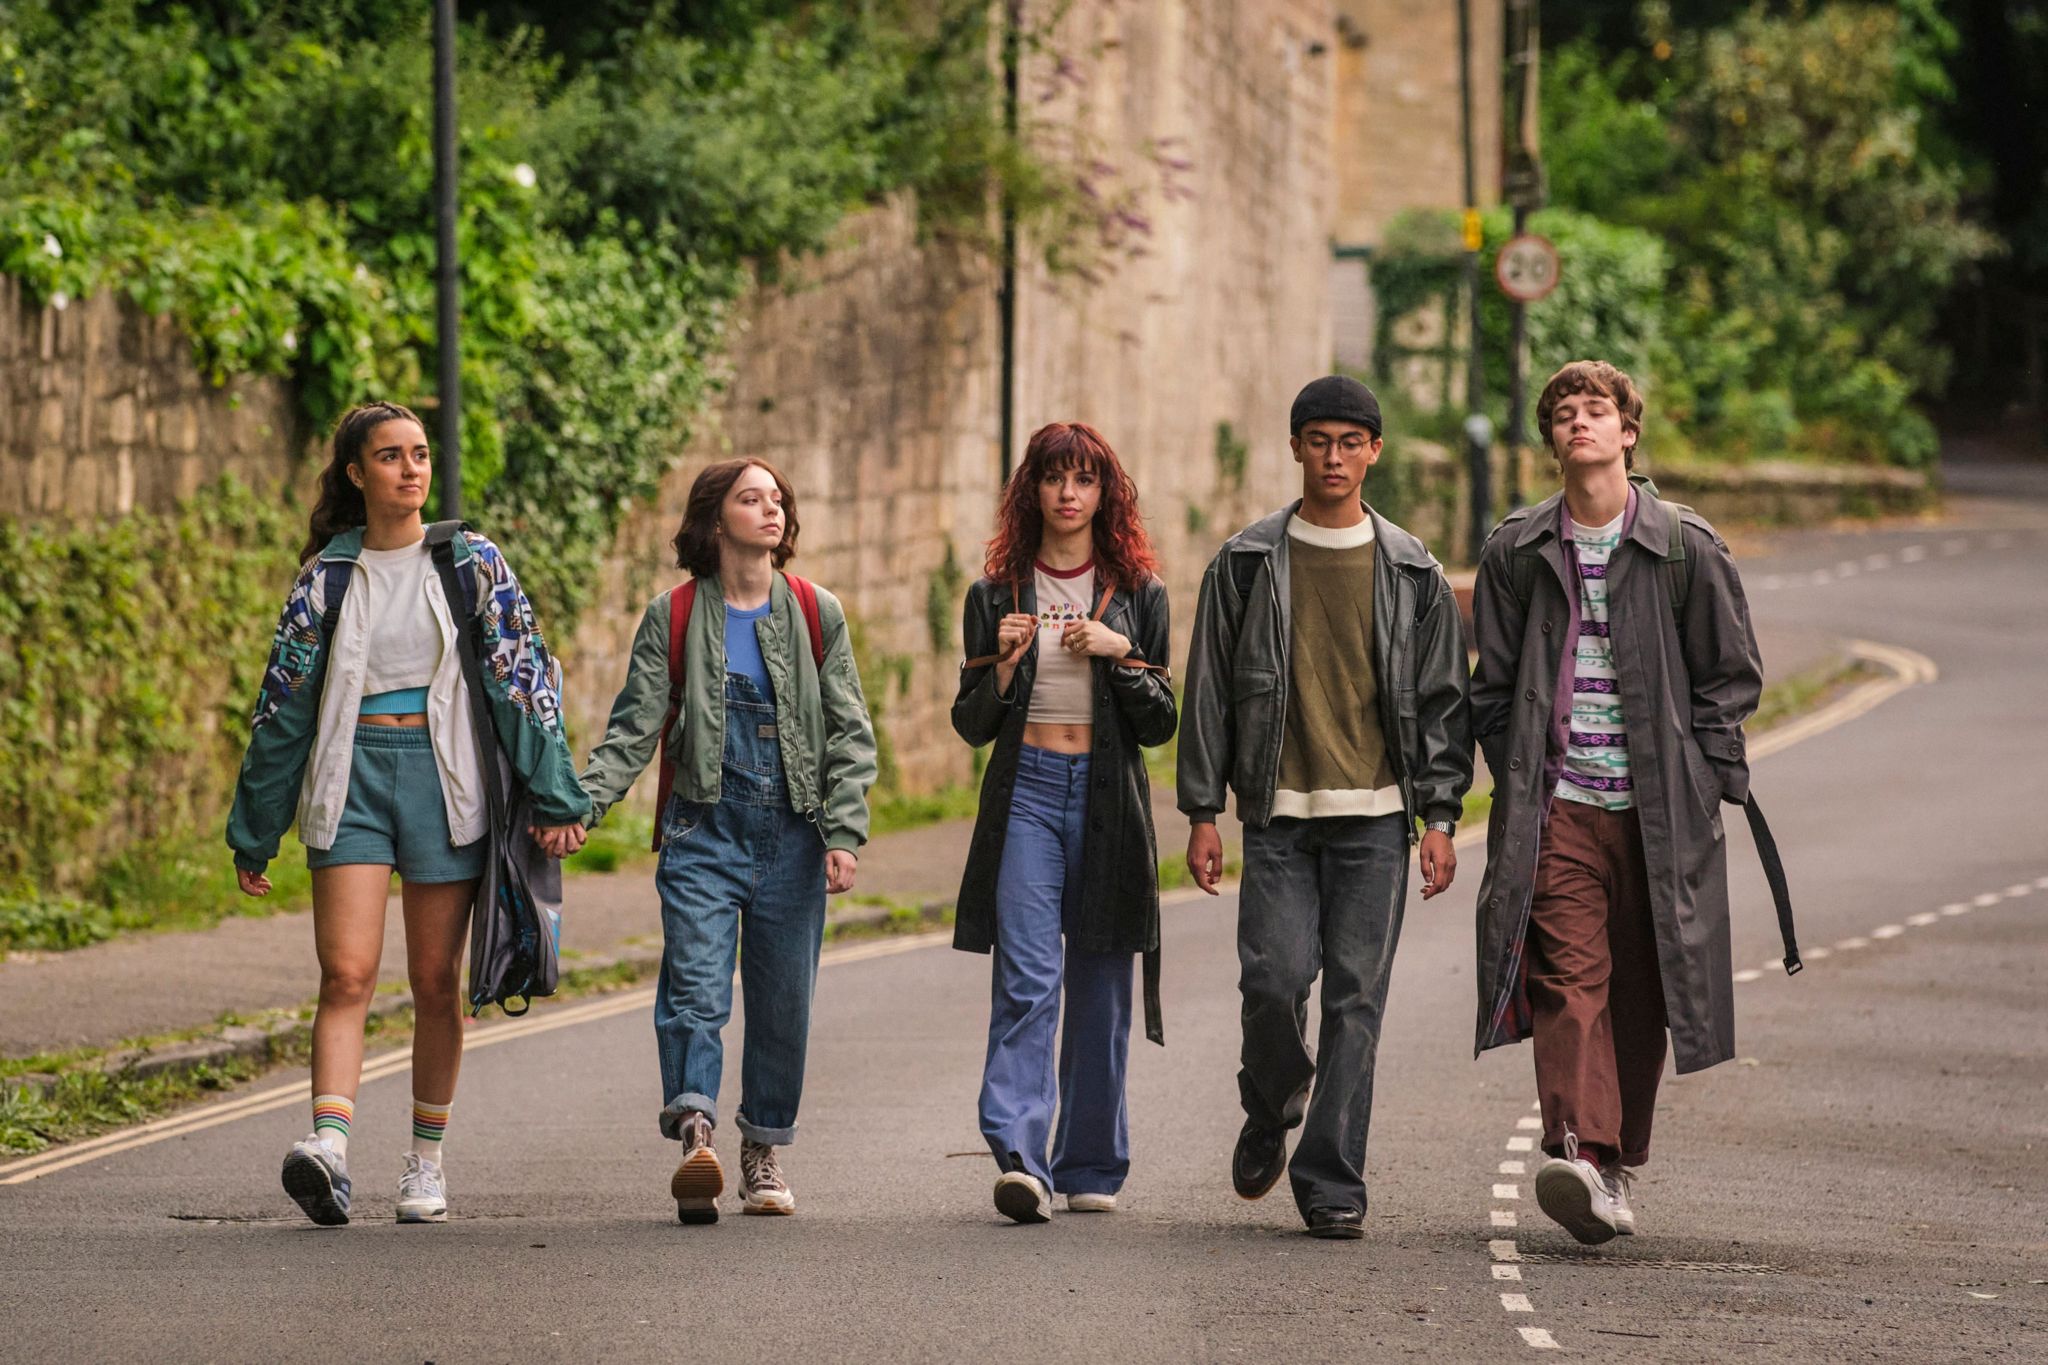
265, 175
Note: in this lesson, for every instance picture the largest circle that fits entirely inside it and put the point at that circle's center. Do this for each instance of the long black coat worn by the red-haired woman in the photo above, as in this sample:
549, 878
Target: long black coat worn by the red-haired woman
1134, 709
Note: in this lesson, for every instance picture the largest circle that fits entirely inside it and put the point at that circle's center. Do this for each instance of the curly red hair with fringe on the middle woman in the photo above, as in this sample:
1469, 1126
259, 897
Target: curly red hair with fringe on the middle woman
1123, 552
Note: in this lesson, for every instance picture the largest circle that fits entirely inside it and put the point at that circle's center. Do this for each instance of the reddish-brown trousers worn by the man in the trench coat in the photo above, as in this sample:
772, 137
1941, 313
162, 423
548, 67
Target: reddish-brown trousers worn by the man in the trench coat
1594, 983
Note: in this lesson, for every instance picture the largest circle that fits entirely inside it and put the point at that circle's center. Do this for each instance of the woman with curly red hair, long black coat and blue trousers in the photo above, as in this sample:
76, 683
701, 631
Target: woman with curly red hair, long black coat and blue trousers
1066, 674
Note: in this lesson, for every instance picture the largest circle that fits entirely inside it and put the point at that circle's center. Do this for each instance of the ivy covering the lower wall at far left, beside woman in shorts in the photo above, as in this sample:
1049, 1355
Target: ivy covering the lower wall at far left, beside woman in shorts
114, 738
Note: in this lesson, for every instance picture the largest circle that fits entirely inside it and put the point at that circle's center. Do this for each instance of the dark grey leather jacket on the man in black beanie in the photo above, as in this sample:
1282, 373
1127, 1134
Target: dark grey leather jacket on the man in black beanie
1234, 709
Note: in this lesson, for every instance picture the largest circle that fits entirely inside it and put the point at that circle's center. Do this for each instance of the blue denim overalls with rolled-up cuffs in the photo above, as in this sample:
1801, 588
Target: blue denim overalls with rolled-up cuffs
744, 873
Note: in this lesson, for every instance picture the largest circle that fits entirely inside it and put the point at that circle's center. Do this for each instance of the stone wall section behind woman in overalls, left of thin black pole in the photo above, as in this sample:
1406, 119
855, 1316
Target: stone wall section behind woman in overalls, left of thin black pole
869, 380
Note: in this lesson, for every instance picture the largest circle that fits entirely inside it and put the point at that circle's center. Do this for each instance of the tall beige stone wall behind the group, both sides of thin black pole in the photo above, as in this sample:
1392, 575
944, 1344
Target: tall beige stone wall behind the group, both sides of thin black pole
873, 382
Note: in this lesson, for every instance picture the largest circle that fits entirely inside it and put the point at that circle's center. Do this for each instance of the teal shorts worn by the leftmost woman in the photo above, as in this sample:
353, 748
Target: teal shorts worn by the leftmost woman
396, 813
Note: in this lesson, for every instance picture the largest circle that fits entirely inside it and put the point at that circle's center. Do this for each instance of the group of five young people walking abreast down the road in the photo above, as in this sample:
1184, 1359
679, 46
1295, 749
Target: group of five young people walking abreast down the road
1328, 689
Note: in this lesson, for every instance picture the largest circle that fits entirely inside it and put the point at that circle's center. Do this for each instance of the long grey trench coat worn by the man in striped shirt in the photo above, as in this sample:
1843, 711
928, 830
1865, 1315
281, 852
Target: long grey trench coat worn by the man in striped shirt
1689, 682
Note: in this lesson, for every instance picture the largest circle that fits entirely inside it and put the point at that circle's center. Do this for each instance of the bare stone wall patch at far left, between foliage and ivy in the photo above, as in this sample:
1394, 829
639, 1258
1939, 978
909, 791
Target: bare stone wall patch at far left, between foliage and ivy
103, 412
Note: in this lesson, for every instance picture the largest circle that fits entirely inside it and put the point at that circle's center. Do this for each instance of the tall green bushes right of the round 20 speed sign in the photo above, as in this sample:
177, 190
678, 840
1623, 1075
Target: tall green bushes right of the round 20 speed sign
1811, 222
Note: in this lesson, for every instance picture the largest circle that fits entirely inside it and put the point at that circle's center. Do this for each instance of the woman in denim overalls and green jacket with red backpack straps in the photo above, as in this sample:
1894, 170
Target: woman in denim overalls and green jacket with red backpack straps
744, 678
